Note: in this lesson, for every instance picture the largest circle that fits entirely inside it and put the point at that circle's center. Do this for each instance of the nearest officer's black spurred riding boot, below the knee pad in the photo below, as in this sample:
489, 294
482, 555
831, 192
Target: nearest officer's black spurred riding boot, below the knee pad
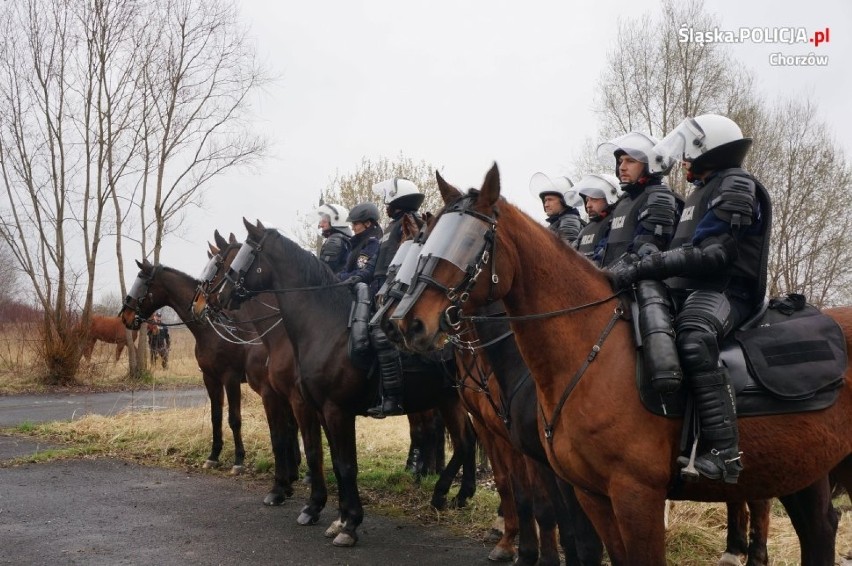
714, 400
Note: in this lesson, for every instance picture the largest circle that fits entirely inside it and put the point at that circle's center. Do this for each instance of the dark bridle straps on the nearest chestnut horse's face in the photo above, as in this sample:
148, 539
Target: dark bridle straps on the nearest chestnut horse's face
459, 293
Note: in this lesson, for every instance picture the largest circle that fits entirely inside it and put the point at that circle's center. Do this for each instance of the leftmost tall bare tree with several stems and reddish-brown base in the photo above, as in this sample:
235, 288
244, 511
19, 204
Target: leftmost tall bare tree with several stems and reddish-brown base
62, 148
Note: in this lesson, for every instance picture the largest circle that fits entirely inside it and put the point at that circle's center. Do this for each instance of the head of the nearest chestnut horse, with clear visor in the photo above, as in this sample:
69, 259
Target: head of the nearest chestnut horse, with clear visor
461, 250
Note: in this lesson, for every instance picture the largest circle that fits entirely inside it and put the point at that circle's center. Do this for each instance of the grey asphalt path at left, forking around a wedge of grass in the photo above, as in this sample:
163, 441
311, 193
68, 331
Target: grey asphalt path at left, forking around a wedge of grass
113, 512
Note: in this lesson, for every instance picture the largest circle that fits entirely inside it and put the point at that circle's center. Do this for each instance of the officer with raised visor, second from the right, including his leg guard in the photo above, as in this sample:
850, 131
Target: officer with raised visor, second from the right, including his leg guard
643, 222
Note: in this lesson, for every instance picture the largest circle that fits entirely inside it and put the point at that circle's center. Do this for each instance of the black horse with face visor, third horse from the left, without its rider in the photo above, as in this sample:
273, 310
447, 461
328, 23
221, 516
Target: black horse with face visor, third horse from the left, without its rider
315, 309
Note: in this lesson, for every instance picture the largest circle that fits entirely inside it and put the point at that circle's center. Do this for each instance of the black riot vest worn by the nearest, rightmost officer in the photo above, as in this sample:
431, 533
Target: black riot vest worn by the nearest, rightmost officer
747, 273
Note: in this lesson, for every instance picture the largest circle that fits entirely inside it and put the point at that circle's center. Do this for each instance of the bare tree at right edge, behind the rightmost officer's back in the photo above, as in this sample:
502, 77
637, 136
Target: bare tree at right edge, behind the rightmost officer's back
795, 156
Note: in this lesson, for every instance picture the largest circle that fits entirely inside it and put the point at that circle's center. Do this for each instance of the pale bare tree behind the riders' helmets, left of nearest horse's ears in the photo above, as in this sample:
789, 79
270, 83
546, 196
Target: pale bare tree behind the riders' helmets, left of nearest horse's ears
356, 187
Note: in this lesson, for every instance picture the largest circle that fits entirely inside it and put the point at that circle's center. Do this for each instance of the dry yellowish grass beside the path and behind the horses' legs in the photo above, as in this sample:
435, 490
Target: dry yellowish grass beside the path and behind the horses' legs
180, 439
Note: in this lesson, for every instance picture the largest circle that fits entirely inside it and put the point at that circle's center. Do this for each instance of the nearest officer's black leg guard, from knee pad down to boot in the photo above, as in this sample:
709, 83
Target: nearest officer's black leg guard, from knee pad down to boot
705, 318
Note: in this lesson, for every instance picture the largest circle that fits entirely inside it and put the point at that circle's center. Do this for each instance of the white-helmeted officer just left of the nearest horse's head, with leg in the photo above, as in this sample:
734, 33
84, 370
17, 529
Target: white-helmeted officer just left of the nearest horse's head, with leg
401, 198
